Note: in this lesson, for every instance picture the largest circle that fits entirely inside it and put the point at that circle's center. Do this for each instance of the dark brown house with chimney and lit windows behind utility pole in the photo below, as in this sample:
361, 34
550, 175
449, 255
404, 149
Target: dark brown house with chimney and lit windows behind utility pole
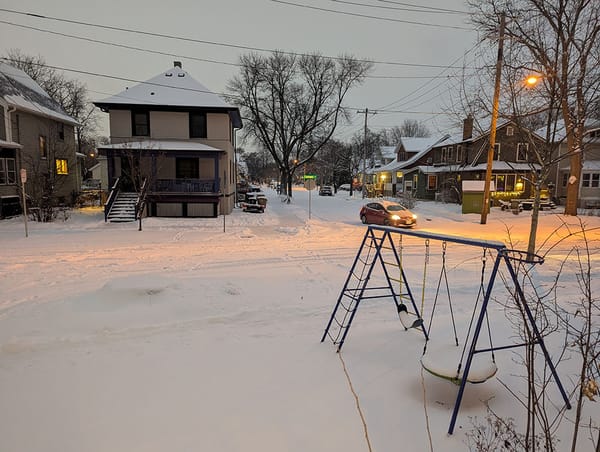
439, 169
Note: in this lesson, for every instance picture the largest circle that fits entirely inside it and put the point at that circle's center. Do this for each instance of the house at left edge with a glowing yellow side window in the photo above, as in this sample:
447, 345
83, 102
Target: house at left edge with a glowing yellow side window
38, 136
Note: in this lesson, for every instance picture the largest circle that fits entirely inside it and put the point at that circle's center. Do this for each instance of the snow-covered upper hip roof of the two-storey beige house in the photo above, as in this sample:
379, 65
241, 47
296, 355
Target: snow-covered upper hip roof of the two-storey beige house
171, 88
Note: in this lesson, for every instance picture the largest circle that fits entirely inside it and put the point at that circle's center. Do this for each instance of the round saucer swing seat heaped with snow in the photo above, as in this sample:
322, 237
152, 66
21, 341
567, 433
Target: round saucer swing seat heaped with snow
443, 362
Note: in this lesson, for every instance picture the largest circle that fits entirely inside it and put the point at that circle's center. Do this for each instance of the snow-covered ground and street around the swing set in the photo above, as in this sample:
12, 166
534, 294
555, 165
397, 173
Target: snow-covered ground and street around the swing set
204, 334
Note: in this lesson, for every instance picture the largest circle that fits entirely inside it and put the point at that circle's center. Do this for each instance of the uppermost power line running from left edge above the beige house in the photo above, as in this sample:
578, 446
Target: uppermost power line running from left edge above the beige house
201, 41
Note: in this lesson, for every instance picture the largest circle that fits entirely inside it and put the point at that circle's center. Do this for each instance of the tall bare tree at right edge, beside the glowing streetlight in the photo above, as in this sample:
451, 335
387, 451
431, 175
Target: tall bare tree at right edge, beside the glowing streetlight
559, 39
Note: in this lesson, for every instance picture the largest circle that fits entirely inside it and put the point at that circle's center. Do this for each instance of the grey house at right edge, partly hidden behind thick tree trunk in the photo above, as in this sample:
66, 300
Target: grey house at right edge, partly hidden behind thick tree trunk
589, 185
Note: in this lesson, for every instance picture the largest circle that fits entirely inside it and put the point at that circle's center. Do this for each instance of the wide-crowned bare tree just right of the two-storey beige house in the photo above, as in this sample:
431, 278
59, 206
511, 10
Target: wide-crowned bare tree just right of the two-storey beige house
293, 104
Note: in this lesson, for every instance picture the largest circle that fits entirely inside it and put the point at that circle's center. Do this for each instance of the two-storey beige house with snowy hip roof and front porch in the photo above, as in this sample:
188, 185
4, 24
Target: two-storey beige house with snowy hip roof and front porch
179, 137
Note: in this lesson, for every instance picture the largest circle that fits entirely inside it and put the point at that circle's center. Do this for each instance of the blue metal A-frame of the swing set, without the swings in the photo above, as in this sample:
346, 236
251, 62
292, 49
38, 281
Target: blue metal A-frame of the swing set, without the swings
380, 238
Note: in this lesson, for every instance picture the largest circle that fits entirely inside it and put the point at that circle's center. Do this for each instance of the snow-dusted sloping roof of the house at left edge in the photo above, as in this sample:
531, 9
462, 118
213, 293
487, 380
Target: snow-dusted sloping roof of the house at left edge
22, 92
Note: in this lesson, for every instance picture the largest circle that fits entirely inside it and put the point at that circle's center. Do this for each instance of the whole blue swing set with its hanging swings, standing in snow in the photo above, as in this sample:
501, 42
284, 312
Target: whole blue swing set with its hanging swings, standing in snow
460, 364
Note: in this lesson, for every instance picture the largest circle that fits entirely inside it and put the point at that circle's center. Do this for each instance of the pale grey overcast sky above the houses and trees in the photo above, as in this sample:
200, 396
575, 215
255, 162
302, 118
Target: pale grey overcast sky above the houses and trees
419, 88
